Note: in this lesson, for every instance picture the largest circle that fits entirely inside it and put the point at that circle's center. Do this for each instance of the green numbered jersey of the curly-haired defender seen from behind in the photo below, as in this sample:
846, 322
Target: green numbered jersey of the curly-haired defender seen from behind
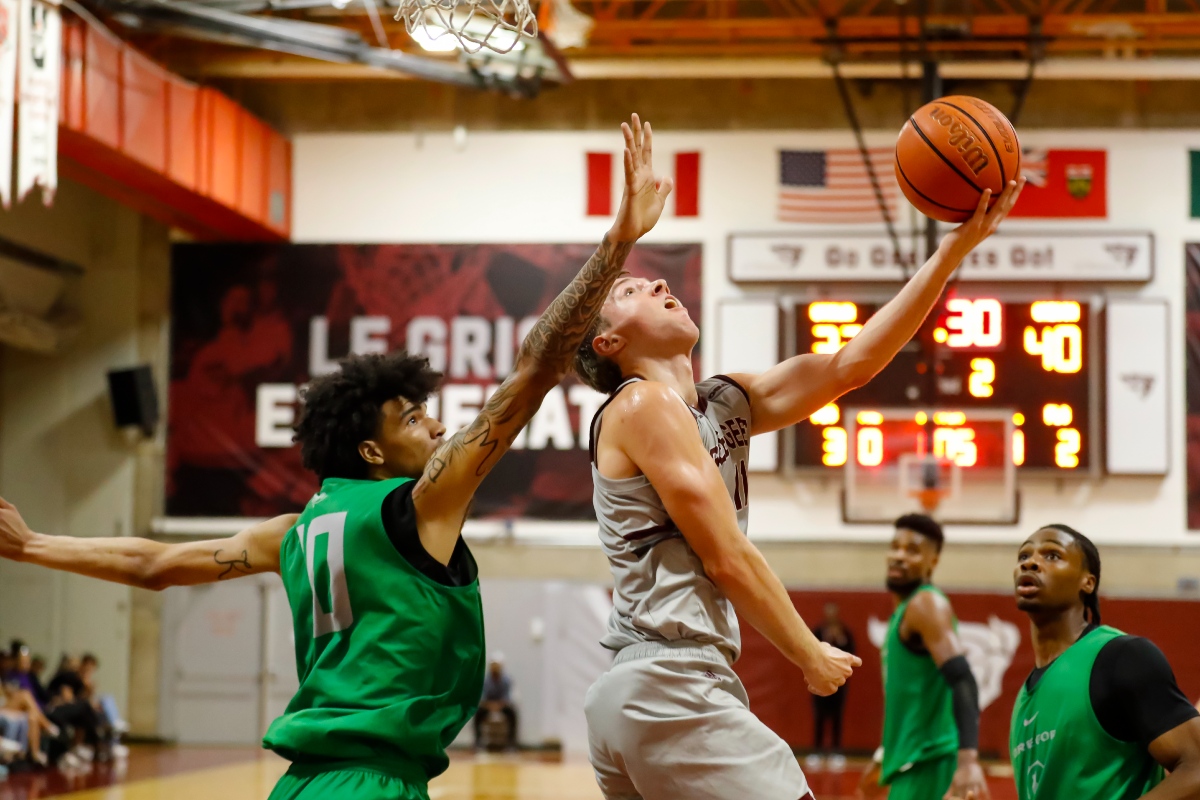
391, 663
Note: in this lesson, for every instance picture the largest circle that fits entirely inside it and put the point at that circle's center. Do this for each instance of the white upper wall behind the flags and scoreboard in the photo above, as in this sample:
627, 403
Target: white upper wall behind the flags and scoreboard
530, 188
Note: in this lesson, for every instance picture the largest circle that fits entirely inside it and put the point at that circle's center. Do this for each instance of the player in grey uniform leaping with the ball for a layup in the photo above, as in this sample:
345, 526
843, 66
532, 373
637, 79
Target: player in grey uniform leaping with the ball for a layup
671, 719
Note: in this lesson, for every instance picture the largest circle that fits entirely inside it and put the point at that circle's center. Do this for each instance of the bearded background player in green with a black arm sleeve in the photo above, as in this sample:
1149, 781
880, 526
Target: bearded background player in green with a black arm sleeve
931, 697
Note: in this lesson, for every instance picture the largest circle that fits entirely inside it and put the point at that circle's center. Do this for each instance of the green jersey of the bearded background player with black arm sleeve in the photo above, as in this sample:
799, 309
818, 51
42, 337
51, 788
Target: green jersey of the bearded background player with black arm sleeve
921, 739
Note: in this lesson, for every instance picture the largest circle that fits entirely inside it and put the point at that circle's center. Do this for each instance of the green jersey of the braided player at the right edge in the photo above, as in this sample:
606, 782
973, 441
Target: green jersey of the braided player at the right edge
1059, 748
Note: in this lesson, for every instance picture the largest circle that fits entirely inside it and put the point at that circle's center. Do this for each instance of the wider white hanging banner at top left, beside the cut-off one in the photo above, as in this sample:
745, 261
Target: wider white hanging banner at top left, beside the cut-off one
38, 117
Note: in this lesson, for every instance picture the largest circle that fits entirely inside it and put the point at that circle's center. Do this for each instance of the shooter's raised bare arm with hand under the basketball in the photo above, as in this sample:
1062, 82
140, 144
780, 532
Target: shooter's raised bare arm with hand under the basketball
796, 389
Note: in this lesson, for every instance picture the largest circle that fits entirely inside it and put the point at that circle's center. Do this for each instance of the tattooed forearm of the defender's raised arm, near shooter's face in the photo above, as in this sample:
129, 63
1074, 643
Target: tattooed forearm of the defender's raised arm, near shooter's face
557, 336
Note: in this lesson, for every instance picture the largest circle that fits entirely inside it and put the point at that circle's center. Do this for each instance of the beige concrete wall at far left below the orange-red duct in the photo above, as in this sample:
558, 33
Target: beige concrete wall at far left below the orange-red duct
62, 461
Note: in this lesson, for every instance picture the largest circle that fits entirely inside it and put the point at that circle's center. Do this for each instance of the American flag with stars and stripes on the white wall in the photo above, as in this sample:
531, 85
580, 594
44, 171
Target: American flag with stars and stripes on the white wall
835, 187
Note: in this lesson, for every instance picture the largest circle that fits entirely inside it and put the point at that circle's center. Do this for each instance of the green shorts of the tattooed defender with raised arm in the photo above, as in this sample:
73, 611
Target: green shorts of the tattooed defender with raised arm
350, 783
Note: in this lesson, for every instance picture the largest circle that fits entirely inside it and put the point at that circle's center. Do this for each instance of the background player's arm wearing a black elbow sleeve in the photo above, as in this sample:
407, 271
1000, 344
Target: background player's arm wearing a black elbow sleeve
931, 617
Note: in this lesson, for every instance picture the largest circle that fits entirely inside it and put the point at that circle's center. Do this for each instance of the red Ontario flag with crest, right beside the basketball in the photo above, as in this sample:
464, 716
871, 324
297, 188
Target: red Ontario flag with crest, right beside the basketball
1064, 184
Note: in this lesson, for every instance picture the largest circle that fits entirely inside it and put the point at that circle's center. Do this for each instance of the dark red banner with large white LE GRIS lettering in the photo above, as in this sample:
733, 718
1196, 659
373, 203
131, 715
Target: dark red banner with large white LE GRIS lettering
251, 324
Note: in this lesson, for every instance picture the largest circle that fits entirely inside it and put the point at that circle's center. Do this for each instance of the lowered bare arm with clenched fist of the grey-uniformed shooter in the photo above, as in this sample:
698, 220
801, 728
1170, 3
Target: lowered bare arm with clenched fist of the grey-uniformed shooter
651, 425
